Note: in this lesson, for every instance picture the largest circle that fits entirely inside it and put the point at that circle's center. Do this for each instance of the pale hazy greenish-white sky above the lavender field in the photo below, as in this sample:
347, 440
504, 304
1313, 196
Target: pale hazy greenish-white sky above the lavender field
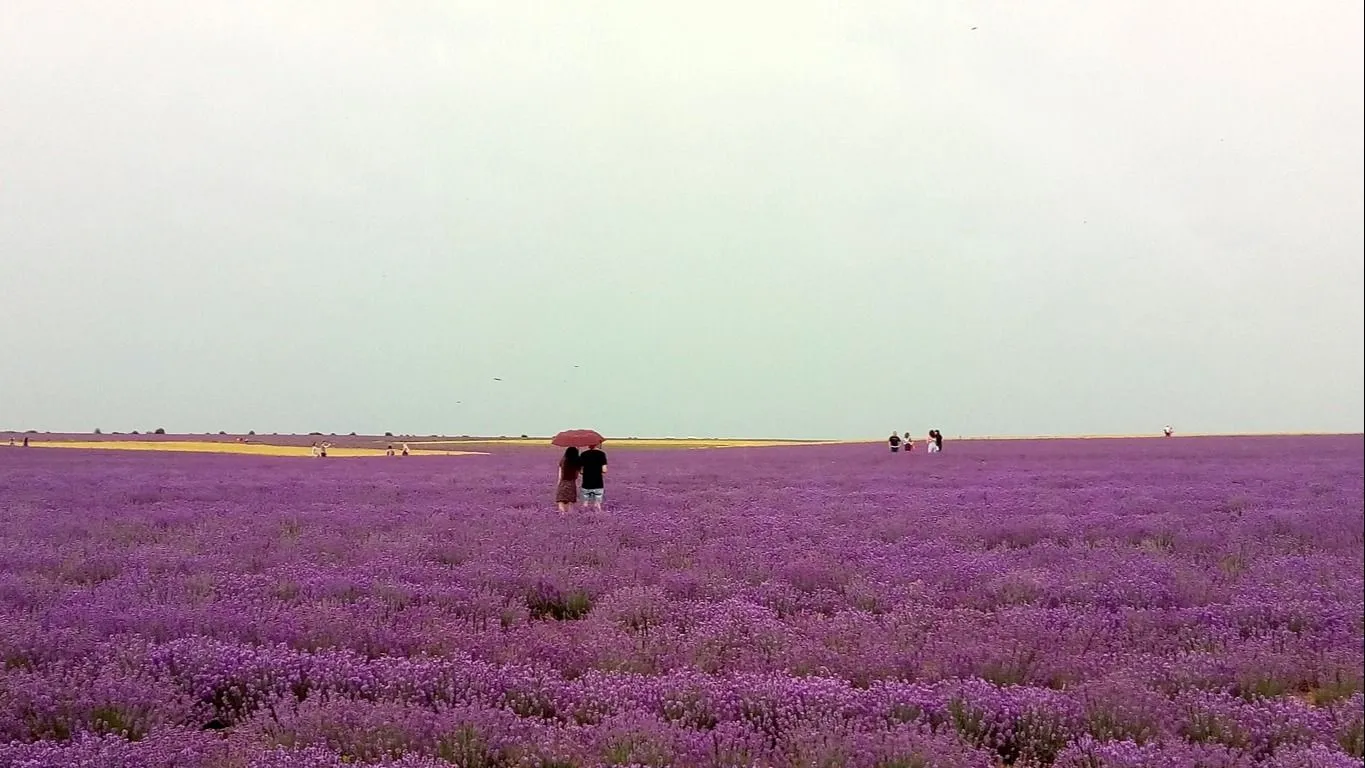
779, 219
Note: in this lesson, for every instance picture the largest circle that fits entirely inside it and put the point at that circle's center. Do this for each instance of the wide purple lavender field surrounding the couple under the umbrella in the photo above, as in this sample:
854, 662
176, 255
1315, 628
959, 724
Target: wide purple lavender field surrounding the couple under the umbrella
1072, 604
